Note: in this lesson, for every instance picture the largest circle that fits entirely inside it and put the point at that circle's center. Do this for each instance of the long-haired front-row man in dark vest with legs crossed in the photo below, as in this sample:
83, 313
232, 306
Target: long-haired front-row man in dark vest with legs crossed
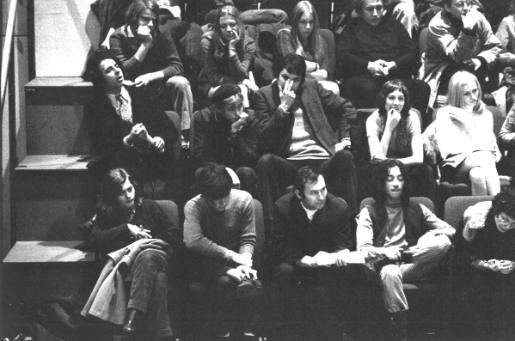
393, 227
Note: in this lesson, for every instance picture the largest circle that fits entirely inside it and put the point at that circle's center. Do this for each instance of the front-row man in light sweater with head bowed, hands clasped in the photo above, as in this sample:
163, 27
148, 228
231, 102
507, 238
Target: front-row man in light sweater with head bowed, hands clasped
220, 234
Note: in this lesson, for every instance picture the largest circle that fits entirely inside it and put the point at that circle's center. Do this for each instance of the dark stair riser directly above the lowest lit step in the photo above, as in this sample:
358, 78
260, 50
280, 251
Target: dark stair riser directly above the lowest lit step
51, 205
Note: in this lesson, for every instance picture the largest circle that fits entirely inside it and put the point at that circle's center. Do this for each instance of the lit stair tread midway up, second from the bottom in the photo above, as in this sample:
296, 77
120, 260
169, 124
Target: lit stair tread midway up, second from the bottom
55, 163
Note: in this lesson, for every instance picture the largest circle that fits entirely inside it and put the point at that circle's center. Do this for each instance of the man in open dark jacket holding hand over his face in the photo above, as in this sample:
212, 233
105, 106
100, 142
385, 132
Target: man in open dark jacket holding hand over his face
303, 124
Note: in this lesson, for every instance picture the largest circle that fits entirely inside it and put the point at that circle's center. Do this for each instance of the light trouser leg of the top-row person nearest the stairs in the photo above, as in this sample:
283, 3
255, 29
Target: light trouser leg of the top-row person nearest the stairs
182, 99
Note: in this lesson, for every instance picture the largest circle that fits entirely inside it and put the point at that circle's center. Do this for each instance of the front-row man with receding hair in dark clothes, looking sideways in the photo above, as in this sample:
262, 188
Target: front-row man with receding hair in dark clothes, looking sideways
310, 242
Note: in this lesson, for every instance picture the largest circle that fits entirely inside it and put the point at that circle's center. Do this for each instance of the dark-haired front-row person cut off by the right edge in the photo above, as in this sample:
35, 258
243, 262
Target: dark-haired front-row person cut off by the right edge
490, 233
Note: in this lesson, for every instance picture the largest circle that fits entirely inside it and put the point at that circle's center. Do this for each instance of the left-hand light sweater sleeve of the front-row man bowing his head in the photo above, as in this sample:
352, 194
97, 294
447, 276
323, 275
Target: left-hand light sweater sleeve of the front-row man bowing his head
194, 237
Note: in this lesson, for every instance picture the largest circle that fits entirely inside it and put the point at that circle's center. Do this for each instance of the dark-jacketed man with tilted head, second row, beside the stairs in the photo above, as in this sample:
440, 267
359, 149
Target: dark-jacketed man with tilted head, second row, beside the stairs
135, 134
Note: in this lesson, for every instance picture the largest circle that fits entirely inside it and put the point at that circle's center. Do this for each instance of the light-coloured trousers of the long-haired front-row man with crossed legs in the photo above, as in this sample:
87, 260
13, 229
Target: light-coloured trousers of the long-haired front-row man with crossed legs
432, 250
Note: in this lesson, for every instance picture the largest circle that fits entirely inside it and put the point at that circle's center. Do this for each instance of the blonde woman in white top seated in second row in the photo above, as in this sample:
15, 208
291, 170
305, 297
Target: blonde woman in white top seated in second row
463, 132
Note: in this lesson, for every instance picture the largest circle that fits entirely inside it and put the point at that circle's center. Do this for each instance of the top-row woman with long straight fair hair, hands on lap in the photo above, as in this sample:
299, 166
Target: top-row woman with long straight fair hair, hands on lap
304, 39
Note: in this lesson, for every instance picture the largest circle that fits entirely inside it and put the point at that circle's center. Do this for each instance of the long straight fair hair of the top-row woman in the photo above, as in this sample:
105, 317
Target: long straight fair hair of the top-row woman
314, 47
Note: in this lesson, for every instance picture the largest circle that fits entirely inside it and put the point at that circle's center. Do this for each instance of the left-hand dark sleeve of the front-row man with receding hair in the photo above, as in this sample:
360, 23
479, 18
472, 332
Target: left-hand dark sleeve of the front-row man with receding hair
282, 242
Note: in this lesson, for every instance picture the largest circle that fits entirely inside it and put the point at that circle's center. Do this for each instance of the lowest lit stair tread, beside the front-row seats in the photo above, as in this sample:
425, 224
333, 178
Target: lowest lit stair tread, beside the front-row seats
63, 251
